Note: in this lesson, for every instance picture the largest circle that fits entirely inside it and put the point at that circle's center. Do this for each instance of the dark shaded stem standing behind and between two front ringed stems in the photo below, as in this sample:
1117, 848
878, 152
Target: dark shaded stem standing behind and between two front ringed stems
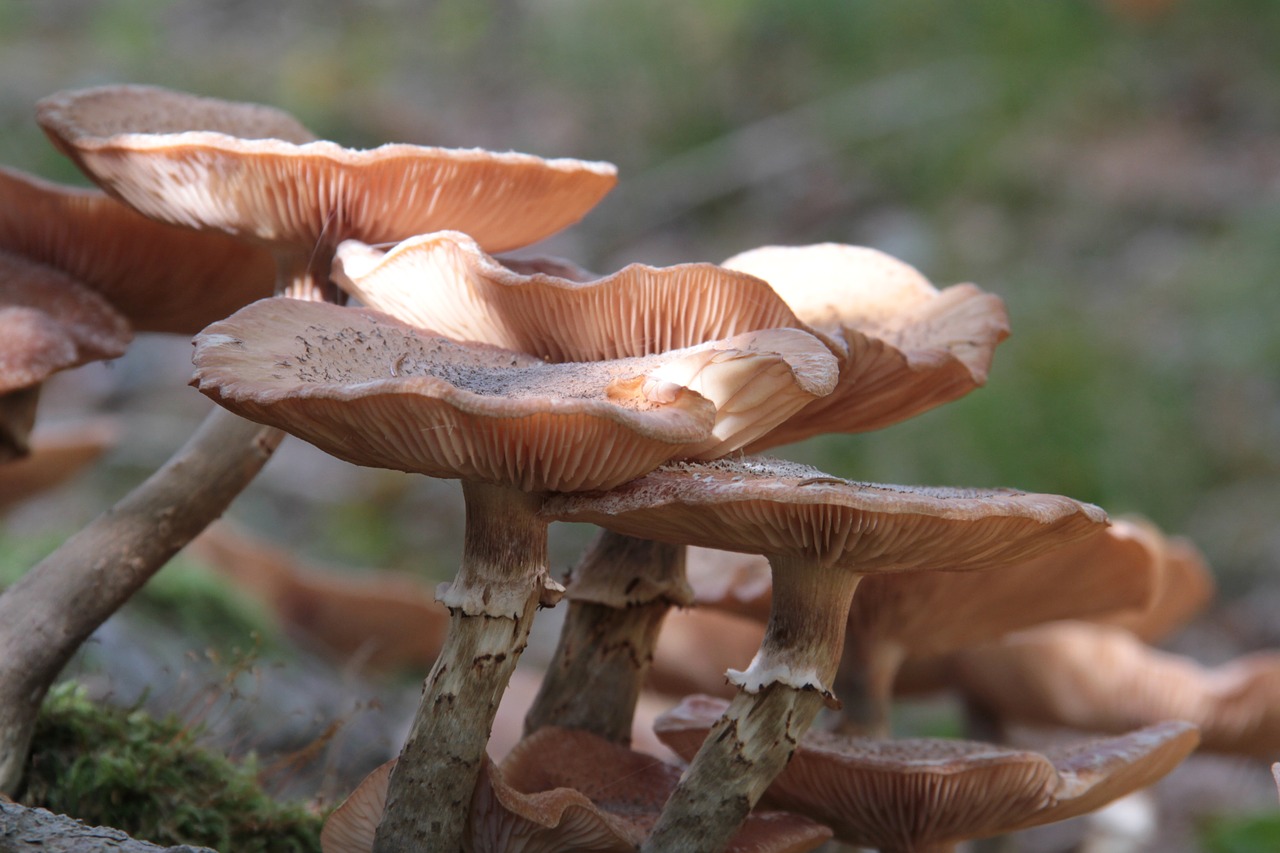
620, 596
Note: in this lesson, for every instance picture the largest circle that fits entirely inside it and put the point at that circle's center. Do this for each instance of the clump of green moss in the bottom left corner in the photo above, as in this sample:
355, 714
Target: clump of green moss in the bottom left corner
152, 779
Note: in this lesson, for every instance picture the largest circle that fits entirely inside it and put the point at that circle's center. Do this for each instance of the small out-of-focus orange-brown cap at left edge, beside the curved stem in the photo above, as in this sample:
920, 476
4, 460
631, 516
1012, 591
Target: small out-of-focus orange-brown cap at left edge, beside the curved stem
58, 454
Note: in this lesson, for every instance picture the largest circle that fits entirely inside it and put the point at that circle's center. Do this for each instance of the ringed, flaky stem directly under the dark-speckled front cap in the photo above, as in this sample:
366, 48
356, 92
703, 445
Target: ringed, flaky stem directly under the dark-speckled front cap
492, 603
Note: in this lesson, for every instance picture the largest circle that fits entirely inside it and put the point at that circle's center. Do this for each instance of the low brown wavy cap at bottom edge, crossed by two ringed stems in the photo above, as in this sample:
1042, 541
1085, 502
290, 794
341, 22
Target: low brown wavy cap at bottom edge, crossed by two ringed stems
565, 791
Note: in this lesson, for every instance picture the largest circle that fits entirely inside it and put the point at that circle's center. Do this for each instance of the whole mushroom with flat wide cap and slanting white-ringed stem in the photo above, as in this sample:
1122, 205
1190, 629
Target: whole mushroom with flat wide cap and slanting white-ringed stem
821, 536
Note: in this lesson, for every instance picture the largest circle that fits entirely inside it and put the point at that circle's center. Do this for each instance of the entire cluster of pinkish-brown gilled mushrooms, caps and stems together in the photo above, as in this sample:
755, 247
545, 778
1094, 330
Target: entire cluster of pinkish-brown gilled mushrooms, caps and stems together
354, 299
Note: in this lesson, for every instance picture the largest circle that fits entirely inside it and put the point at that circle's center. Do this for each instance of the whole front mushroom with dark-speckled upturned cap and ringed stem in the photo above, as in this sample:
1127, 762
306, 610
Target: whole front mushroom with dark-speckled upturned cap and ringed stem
374, 391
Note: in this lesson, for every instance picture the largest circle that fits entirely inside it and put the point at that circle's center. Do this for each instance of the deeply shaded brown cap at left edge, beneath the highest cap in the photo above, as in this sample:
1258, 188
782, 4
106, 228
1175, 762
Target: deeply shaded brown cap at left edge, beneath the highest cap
161, 277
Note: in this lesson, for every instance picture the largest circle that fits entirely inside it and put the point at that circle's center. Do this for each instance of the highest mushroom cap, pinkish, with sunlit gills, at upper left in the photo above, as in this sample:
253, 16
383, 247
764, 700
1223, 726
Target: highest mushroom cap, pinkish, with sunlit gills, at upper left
255, 172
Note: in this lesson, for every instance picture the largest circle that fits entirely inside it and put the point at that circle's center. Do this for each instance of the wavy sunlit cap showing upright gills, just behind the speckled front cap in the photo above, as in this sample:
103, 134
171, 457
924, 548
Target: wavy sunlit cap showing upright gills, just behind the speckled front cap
447, 284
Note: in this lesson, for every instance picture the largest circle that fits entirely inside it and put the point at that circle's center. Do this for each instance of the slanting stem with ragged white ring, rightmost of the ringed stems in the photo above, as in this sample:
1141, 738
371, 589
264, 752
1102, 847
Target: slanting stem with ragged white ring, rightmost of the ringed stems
779, 697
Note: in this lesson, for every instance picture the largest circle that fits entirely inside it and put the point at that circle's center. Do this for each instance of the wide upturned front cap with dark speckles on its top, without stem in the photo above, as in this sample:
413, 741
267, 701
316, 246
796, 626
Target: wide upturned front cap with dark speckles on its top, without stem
374, 391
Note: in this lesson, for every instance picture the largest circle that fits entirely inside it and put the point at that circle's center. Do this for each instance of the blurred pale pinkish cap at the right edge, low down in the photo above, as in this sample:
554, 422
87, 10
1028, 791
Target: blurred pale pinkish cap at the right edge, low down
1096, 678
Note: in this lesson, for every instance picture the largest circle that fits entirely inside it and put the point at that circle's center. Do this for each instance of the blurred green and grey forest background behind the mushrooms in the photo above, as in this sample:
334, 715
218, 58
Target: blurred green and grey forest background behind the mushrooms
1112, 168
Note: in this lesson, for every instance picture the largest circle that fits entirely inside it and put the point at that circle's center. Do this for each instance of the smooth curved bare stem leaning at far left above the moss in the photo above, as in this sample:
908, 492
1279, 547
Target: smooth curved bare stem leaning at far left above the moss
57, 605
